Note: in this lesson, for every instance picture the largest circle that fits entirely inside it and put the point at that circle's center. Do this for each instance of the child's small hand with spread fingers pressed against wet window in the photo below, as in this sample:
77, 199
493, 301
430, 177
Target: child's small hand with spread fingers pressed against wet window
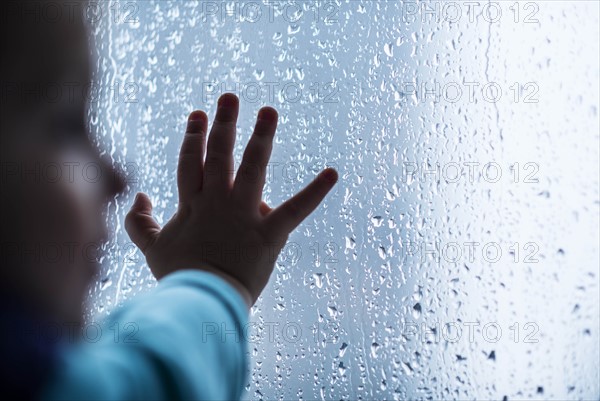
220, 225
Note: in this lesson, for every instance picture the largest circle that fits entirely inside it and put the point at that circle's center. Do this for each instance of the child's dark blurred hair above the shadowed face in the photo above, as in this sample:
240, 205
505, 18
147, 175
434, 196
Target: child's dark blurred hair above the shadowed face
38, 39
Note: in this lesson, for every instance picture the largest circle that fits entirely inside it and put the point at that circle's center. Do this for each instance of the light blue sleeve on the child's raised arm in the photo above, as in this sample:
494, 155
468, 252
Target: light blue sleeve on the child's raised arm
182, 341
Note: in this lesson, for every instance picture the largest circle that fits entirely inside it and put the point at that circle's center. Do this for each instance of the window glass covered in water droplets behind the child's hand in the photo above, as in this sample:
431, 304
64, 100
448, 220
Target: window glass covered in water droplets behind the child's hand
458, 256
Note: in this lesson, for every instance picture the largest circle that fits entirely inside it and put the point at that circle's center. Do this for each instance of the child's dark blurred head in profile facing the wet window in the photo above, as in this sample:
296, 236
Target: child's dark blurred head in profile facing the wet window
52, 199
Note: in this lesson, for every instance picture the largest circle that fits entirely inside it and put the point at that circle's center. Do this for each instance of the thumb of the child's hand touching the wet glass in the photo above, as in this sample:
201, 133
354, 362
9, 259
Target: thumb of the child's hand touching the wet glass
139, 224
